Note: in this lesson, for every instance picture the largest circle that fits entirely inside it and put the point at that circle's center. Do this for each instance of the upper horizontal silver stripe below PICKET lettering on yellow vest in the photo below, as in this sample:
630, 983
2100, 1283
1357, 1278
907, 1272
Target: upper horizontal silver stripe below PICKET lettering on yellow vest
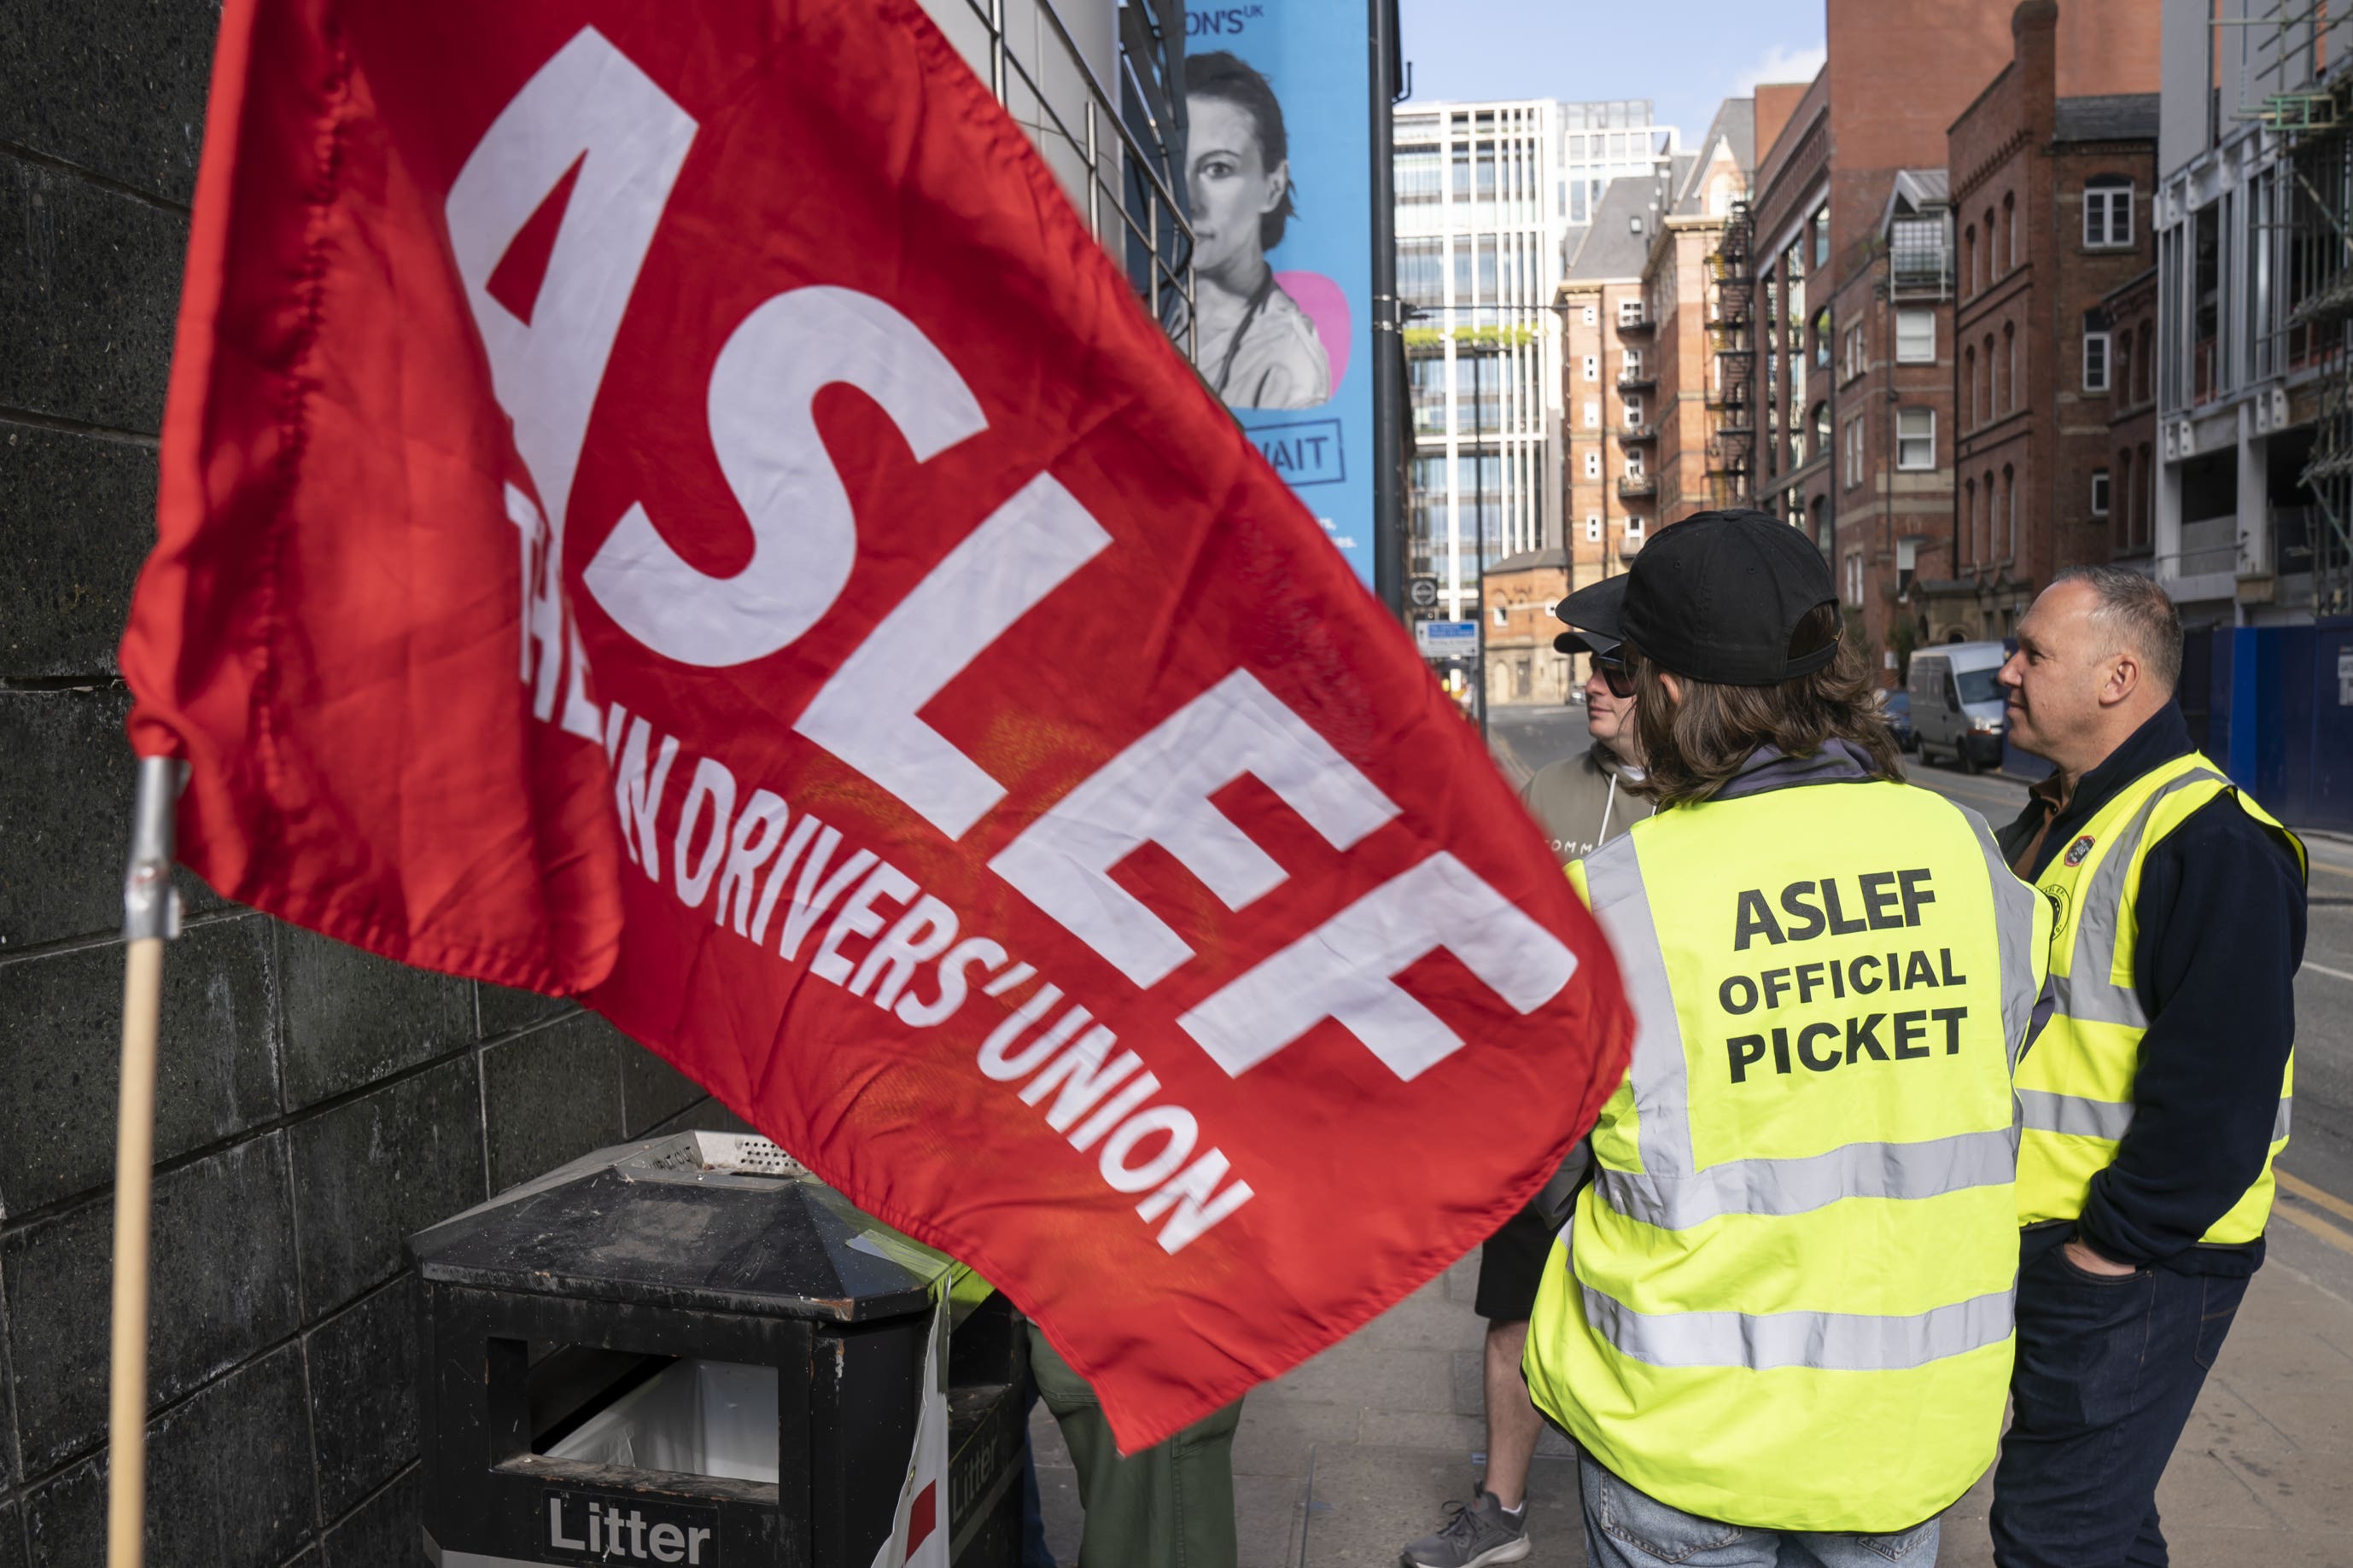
1801, 1186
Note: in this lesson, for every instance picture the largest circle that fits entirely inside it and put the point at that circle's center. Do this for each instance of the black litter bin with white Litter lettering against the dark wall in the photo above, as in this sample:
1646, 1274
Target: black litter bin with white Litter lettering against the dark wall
695, 1353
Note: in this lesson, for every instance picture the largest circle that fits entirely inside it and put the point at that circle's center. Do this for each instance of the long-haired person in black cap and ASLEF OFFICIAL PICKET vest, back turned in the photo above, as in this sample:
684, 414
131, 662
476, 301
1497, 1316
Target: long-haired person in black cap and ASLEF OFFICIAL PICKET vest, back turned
1782, 1313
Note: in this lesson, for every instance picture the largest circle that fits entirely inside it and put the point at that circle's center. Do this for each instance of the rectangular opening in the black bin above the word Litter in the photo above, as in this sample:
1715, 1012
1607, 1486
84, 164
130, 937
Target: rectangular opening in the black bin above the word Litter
672, 1414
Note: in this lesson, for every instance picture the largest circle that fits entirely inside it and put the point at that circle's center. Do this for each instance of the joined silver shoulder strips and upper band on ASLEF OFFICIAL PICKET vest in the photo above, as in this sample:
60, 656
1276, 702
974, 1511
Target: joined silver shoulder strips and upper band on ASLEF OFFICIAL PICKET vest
1669, 1191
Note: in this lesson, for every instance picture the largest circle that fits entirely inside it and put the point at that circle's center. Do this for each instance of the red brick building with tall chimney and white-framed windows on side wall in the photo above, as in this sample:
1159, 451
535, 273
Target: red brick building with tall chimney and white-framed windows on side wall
2044, 206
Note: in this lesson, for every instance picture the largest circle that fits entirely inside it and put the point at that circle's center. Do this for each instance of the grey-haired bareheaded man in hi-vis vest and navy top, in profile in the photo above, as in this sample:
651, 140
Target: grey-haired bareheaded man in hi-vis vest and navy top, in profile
2157, 1099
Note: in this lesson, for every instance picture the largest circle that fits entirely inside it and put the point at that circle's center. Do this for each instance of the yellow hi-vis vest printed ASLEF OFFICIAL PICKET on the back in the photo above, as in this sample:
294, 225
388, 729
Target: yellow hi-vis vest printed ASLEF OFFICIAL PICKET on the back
1787, 1296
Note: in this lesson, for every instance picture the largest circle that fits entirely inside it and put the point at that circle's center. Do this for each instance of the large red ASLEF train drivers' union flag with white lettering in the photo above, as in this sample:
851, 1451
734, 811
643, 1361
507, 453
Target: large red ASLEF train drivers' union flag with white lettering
669, 504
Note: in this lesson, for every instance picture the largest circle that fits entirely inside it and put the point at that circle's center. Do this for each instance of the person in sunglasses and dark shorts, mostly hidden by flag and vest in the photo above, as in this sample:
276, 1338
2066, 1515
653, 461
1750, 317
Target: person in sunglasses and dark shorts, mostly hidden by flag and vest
1580, 803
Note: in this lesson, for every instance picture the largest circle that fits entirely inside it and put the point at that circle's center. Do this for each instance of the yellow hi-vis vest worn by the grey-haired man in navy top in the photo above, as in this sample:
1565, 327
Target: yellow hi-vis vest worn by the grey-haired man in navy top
2077, 1083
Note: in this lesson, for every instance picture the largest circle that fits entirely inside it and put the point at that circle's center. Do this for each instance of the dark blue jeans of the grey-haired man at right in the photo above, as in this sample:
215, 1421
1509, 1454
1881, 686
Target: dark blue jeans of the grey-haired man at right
2105, 1383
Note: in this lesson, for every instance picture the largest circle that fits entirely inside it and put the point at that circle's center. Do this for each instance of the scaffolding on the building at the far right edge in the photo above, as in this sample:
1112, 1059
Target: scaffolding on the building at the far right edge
2302, 98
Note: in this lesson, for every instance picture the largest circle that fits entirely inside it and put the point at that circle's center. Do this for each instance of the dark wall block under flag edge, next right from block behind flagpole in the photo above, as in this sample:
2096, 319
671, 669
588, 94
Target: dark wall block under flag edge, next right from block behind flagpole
354, 1019
